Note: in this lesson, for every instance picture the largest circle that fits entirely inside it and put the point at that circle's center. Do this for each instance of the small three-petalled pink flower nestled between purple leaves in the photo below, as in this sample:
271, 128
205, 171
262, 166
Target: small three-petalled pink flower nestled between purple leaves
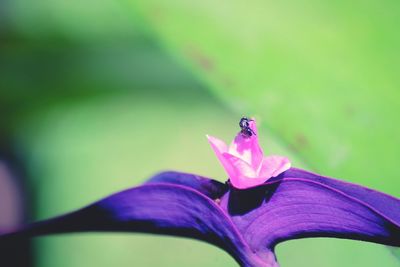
244, 160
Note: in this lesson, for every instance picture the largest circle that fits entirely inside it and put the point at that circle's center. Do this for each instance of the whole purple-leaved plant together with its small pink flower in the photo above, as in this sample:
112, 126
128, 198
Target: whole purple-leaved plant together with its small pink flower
264, 203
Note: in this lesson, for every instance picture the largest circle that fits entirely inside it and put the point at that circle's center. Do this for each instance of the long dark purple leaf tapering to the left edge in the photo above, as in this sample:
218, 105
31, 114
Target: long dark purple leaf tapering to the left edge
156, 207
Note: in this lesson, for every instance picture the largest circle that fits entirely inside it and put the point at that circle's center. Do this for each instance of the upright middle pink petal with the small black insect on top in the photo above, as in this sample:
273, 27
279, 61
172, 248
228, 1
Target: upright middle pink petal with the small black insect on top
248, 148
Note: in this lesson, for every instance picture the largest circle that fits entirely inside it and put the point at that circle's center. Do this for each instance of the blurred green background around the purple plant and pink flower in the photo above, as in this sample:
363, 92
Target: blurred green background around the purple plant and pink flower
96, 96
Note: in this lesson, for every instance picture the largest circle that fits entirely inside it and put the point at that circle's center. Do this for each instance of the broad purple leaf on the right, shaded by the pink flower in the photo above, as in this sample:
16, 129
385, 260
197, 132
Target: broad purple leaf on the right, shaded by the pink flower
300, 204
